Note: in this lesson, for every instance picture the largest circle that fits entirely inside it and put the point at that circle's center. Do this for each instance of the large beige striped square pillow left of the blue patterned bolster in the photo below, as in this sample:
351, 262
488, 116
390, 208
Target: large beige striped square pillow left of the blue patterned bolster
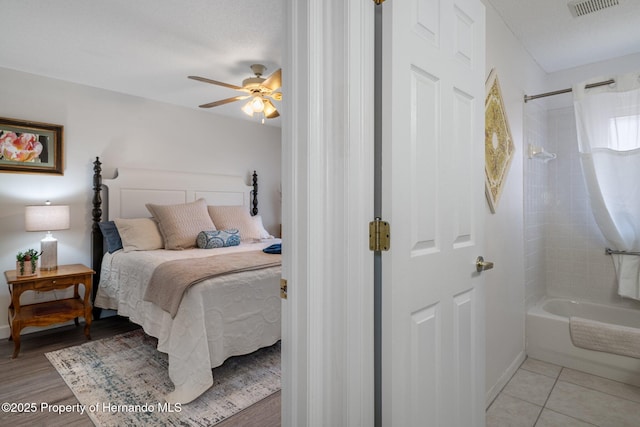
180, 224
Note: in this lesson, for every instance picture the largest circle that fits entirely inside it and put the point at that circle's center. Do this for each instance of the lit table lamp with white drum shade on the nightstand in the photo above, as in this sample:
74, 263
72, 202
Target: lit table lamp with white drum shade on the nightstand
47, 218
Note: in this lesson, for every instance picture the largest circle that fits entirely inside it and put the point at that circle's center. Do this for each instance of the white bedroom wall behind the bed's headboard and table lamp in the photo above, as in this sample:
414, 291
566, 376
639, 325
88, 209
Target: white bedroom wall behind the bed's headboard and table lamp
124, 131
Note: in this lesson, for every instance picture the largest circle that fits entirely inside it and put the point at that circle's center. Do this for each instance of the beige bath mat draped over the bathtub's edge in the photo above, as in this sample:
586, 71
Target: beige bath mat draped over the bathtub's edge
599, 336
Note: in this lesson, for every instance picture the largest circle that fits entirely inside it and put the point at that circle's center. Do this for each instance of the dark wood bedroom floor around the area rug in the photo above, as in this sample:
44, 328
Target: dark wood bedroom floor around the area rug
32, 379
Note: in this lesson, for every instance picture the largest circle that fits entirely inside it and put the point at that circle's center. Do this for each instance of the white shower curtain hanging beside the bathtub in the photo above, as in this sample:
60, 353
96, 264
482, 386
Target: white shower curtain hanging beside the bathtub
608, 127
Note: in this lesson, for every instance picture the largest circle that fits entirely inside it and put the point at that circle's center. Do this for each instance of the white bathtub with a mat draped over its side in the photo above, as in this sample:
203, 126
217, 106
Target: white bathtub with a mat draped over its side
548, 338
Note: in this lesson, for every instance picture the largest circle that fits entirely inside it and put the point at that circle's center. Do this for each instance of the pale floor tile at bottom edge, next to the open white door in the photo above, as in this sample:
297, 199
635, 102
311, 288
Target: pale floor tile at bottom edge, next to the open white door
512, 412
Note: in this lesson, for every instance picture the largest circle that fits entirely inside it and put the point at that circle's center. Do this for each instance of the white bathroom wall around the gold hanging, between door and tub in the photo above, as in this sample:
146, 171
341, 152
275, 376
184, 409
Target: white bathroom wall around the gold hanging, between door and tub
505, 290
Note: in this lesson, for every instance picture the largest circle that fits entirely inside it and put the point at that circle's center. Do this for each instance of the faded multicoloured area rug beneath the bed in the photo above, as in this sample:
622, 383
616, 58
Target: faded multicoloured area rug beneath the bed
121, 381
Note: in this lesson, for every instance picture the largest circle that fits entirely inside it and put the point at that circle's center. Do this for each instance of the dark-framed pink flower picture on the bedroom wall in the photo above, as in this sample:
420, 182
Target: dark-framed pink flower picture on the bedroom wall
31, 147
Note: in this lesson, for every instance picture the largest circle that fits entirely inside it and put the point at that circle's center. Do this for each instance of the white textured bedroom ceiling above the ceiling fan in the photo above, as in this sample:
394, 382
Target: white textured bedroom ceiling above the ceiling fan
145, 48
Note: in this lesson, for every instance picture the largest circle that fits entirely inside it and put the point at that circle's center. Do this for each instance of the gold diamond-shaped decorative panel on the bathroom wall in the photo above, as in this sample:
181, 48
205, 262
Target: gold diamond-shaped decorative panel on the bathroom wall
498, 143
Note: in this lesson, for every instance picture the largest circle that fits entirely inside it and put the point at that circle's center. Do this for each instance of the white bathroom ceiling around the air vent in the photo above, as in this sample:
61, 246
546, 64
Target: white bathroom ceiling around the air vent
558, 41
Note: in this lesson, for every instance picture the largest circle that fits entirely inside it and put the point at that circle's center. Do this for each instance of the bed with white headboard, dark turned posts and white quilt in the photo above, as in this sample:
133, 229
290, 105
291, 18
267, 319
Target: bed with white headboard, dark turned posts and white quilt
218, 317
